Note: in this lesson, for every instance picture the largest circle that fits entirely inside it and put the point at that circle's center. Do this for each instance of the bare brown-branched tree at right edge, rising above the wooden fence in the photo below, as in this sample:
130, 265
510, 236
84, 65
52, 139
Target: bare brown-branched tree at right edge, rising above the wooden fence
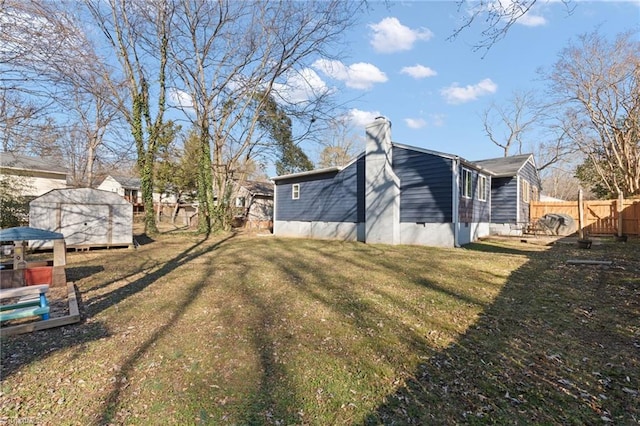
596, 82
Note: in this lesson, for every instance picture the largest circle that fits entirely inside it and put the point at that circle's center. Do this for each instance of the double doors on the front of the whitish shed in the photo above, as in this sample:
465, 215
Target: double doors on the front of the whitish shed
85, 224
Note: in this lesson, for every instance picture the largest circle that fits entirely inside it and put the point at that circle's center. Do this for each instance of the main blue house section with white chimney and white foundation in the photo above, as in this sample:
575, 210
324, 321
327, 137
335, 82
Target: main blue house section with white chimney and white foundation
391, 194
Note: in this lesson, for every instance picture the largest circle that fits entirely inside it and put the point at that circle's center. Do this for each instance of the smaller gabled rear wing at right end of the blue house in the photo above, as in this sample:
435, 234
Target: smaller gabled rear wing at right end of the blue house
515, 183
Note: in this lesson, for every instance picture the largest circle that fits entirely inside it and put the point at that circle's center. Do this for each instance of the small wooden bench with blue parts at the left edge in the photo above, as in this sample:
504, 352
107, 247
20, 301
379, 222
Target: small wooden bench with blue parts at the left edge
32, 301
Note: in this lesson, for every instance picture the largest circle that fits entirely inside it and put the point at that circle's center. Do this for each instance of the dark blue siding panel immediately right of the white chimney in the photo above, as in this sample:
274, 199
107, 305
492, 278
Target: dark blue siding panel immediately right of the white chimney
425, 186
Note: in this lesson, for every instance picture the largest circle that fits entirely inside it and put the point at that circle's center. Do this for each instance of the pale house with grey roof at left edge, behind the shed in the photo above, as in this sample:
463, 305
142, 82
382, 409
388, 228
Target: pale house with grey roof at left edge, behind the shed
35, 176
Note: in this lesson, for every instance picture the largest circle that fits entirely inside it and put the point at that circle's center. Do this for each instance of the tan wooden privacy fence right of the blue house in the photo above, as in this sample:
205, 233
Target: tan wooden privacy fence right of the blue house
600, 216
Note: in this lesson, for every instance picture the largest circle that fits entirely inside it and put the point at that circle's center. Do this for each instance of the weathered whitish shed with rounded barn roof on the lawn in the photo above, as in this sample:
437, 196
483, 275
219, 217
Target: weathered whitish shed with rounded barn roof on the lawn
86, 217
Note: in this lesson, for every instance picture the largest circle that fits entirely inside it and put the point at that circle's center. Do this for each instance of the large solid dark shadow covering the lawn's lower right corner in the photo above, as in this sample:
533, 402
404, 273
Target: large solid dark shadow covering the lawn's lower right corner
559, 345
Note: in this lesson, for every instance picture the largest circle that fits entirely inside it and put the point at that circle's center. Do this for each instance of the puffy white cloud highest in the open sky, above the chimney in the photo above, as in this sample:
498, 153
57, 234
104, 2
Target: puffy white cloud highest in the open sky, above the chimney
389, 35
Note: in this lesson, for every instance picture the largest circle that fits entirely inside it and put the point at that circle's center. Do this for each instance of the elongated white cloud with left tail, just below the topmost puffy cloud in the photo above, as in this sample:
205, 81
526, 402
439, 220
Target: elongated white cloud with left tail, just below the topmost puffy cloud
360, 75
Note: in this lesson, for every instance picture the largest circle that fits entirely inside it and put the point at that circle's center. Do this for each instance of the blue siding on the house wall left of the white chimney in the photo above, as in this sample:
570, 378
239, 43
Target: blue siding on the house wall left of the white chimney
330, 197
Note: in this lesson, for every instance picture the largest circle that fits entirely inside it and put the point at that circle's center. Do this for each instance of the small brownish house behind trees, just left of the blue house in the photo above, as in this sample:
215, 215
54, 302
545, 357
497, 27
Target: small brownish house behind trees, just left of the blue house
254, 204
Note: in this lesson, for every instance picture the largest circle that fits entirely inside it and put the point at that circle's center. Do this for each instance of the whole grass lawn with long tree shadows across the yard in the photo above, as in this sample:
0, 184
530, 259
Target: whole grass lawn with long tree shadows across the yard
250, 330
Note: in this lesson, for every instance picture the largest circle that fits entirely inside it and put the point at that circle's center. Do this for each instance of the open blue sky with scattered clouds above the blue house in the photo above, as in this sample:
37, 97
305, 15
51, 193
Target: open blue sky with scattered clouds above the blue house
400, 64
